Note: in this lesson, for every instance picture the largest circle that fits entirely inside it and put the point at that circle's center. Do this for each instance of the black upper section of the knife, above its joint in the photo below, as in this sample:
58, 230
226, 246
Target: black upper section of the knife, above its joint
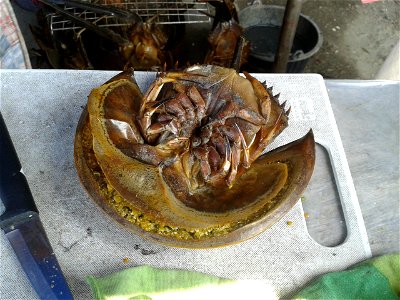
14, 189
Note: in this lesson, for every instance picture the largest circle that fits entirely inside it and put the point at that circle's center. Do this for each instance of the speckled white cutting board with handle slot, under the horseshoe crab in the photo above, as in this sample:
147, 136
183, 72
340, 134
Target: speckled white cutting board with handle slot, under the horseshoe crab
41, 109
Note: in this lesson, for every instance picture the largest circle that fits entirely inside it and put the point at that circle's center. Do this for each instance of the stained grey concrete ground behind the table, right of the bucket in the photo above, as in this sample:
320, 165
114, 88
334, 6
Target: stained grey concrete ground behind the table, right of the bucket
356, 37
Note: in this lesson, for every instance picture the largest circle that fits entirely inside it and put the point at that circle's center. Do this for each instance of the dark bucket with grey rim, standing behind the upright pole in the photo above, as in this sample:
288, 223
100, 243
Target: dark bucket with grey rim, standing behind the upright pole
262, 26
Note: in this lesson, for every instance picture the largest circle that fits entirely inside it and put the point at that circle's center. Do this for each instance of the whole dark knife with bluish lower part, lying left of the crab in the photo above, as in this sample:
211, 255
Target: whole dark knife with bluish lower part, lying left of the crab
23, 228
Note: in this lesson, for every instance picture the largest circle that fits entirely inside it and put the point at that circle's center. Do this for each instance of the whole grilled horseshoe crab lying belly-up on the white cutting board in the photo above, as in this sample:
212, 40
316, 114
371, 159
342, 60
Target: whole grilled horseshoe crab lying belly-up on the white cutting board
182, 164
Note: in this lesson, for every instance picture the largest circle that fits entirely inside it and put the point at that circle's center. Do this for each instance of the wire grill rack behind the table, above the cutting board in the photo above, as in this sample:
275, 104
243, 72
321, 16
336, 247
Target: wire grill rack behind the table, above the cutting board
164, 12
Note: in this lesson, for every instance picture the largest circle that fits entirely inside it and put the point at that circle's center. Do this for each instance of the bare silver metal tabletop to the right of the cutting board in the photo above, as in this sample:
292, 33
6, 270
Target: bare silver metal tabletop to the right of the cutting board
367, 115
